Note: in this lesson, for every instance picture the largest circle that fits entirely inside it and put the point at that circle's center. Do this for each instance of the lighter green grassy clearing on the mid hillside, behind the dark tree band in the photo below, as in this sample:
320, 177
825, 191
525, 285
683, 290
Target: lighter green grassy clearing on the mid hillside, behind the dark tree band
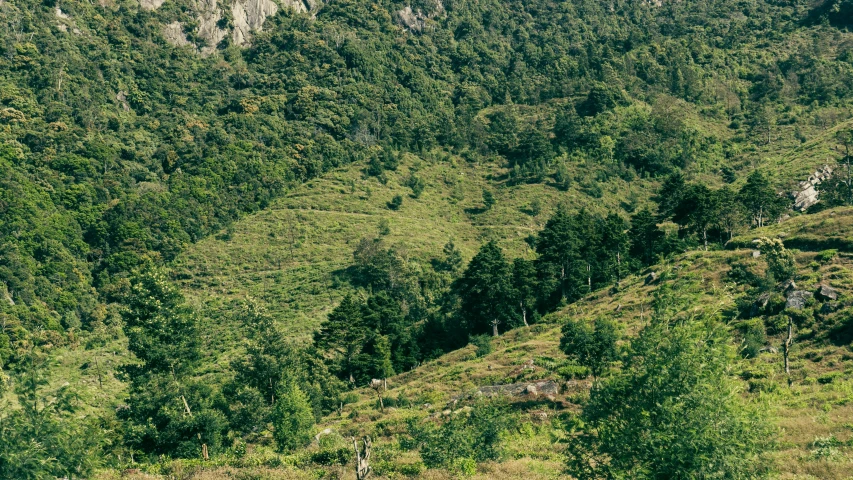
286, 256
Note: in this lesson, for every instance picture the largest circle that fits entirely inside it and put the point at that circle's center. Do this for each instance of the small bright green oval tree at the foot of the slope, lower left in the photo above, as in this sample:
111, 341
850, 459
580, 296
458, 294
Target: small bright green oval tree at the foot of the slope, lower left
292, 418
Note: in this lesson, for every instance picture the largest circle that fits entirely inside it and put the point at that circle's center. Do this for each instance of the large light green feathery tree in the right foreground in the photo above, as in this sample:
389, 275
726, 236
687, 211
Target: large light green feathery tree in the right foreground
673, 411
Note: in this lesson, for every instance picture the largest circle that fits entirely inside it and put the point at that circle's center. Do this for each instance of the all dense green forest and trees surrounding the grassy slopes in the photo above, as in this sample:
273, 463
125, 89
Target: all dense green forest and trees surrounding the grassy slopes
118, 151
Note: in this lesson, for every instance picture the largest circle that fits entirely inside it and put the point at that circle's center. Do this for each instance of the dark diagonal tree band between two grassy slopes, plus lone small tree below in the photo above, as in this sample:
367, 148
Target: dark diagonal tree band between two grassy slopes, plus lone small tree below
413, 312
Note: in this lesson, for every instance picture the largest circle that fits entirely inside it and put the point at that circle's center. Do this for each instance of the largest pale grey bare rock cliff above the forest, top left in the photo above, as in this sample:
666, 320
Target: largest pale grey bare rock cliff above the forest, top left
246, 16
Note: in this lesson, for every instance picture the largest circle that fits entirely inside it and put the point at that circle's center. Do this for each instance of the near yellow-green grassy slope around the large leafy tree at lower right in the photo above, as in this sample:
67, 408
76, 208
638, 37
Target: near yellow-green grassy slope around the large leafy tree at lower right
812, 412
